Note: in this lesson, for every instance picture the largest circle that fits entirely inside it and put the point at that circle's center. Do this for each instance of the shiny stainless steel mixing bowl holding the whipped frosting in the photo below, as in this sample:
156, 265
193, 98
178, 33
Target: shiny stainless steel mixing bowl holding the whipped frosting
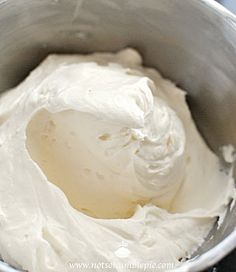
191, 42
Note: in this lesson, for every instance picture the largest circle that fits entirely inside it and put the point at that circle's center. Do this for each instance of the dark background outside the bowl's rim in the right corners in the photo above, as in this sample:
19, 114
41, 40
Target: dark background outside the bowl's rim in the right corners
228, 264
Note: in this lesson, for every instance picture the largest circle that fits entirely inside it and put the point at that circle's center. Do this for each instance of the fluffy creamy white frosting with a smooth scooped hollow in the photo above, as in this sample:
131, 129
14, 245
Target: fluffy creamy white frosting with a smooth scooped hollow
96, 151
